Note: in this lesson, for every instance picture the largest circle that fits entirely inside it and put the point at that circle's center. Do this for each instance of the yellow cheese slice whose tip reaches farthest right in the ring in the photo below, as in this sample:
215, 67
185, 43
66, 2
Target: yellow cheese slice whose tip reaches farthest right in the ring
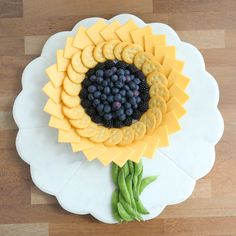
177, 78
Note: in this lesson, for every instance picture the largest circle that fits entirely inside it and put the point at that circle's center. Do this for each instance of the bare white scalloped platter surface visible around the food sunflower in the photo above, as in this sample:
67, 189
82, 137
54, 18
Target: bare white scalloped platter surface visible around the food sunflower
84, 187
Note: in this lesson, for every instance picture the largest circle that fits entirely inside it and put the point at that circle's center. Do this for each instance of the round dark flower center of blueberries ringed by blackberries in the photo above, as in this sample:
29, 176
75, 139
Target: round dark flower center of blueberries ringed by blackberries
114, 94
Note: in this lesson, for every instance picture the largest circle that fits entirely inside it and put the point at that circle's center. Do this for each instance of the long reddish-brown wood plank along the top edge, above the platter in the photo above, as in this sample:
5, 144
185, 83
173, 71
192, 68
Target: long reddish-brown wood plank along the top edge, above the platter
75, 7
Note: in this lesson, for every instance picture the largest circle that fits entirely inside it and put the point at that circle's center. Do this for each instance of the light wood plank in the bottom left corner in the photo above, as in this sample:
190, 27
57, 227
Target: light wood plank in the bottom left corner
24, 229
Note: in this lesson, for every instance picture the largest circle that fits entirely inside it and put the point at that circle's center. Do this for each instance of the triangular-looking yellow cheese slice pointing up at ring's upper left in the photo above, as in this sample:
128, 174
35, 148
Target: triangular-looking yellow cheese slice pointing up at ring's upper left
81, 39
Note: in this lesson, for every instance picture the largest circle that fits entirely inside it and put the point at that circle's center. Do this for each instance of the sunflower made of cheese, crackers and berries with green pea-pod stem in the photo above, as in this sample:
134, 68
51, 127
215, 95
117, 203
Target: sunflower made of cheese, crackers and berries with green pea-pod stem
116, 93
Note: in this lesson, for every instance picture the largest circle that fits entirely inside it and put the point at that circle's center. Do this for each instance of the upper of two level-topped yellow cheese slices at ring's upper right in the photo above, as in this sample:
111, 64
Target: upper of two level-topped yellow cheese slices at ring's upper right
150, 41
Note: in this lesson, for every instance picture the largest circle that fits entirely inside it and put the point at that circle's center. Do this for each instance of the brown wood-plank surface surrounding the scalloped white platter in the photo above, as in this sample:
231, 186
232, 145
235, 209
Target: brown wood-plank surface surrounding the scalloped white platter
24, 27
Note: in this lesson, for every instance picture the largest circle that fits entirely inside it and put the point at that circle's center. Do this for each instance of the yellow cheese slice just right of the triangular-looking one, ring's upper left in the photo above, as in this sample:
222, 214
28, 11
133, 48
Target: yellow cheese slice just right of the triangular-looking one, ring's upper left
94, 31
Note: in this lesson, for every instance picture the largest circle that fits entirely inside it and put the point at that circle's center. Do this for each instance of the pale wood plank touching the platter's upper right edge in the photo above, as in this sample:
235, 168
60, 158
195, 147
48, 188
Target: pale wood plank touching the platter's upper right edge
204, 38
